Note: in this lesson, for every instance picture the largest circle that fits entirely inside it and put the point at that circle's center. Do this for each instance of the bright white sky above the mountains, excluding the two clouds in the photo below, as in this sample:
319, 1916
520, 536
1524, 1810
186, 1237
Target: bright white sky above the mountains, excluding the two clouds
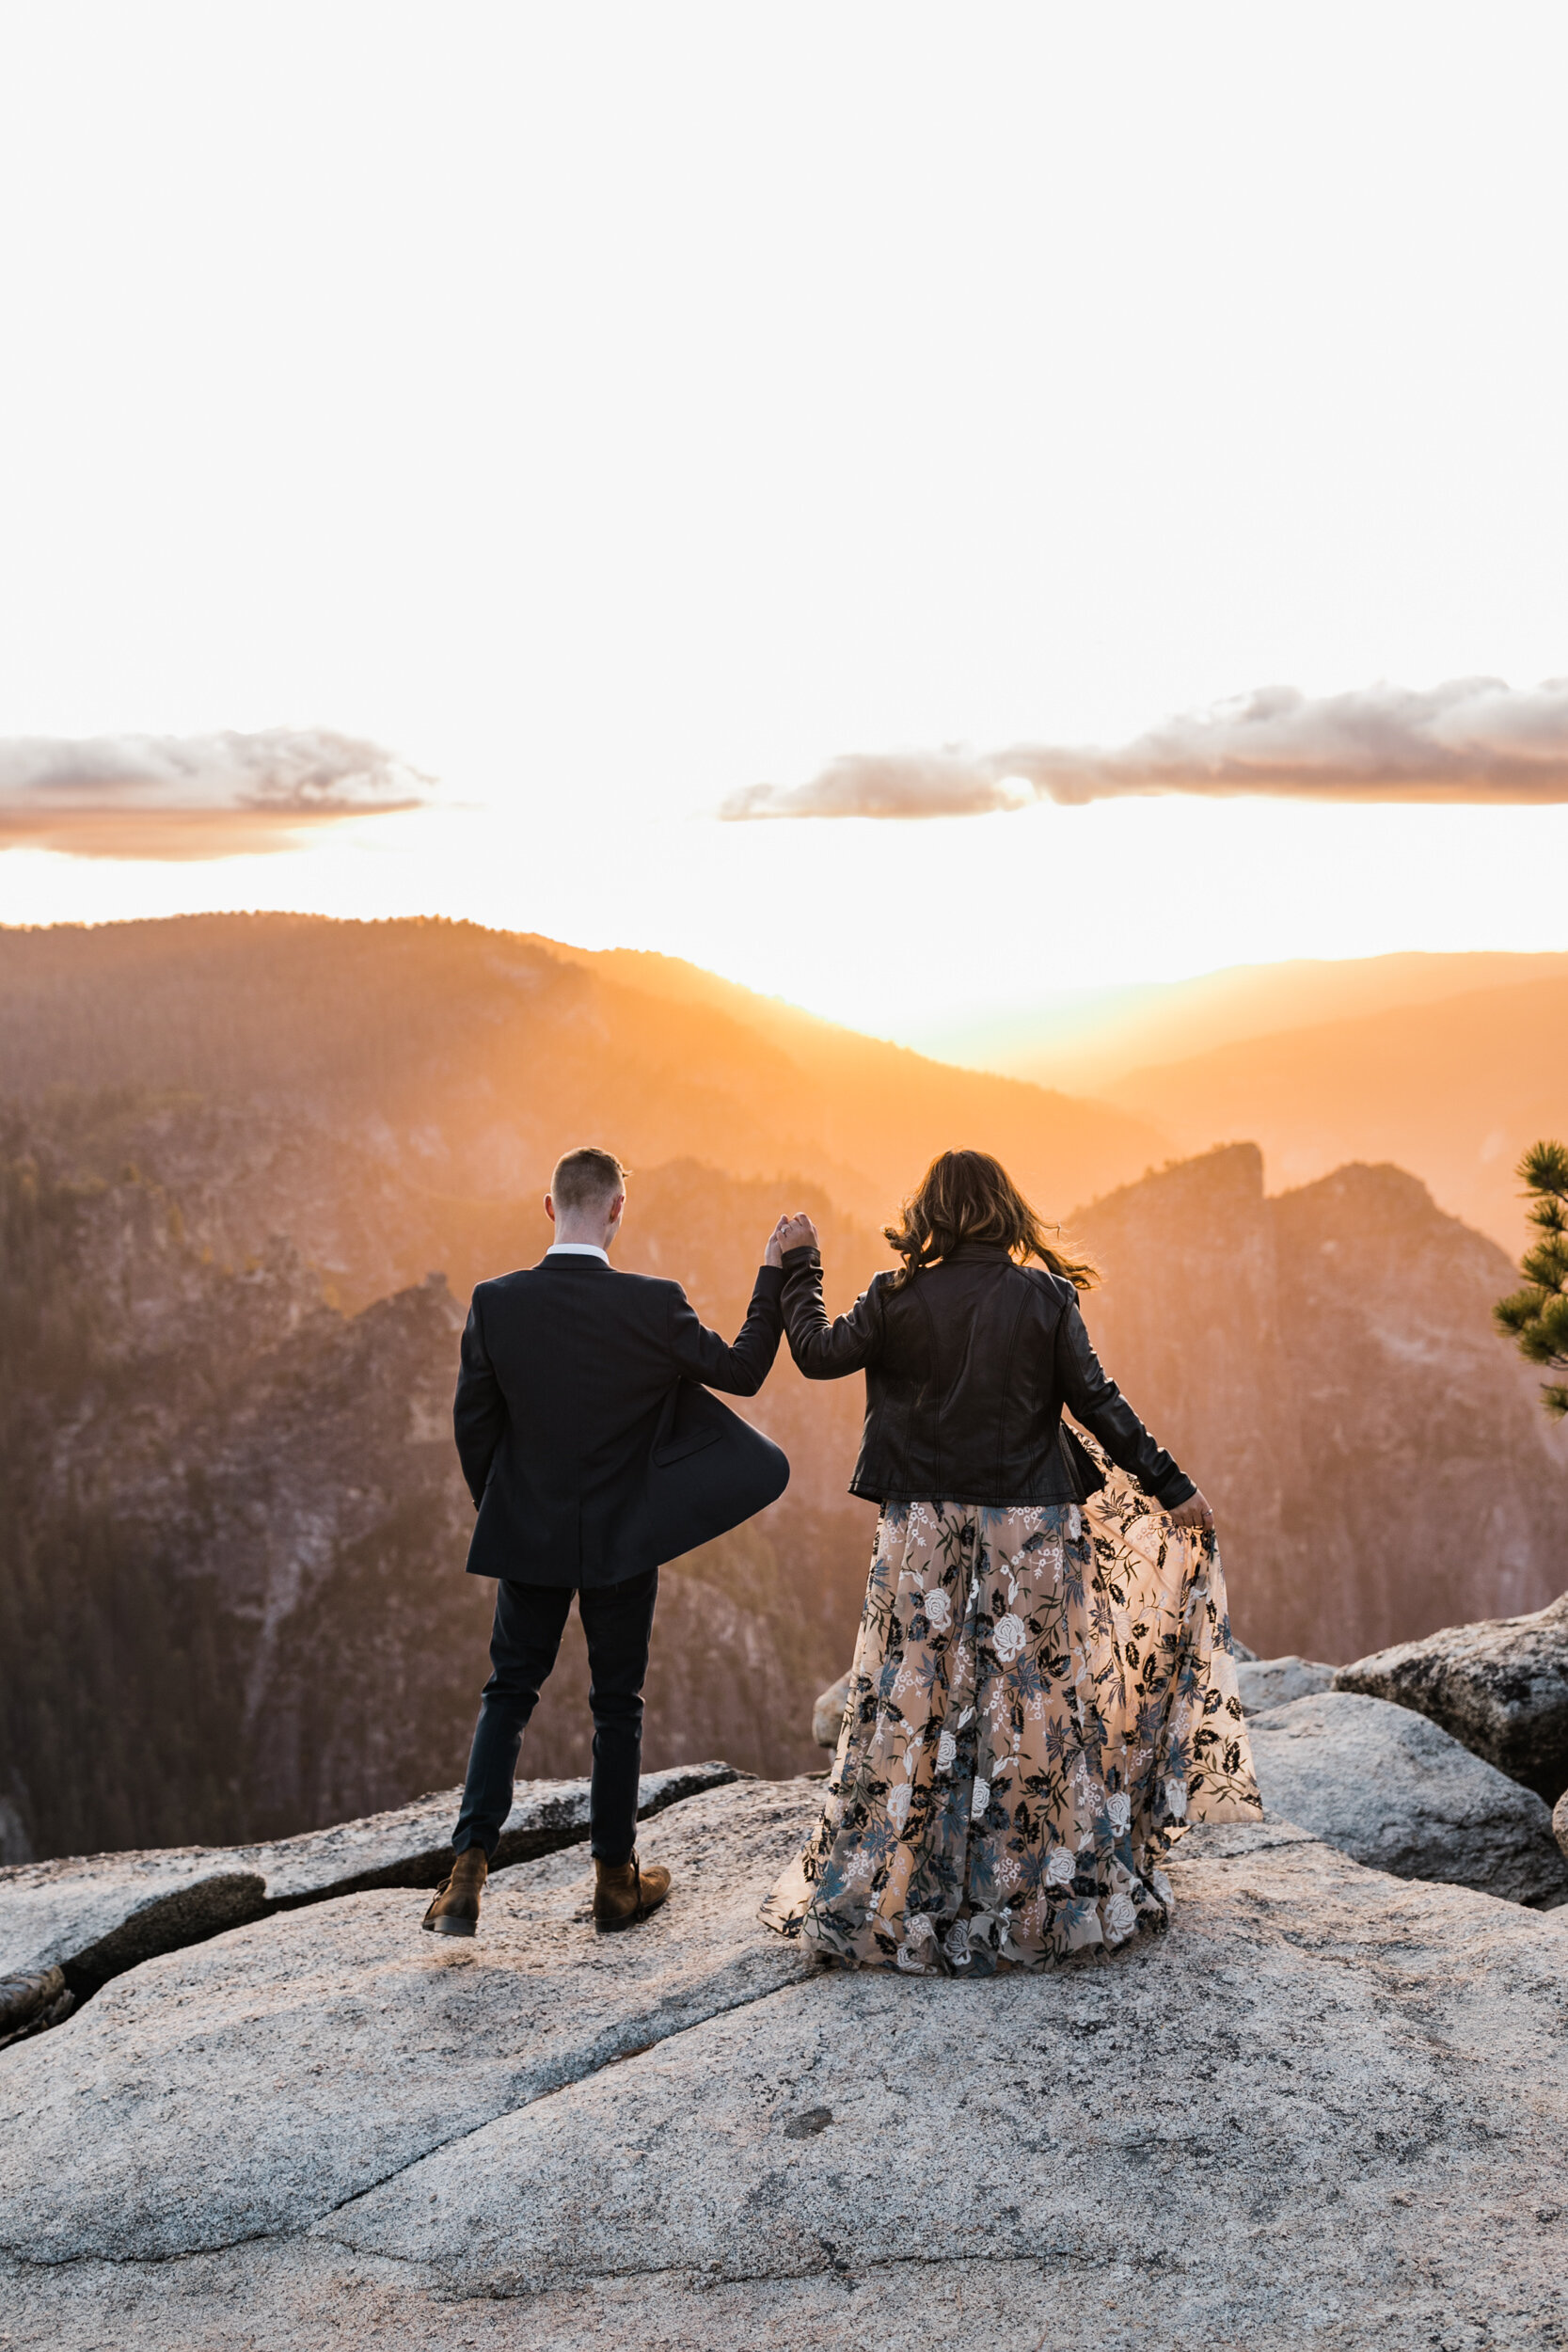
615, 408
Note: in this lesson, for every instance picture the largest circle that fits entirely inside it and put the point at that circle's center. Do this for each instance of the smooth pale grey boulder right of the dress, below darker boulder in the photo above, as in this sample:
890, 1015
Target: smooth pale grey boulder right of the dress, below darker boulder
1400, 1793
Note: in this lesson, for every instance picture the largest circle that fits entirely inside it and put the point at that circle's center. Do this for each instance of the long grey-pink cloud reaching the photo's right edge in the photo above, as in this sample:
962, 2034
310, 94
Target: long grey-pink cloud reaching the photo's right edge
1470, 740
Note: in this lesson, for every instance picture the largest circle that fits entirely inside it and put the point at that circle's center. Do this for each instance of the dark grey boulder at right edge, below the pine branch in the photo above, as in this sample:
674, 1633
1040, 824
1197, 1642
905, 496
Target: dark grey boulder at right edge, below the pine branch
1499, 1685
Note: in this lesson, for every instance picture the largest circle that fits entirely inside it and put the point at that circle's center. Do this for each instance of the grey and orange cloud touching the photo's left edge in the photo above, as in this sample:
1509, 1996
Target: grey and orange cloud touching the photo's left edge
194, 796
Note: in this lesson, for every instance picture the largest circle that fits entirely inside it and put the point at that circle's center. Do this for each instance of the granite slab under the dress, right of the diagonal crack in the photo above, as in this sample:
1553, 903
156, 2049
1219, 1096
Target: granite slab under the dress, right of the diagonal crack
1327, 2102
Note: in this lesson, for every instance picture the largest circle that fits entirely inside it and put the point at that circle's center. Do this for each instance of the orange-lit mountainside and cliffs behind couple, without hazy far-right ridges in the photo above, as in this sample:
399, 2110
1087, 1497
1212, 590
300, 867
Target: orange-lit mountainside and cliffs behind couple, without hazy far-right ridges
232, 1530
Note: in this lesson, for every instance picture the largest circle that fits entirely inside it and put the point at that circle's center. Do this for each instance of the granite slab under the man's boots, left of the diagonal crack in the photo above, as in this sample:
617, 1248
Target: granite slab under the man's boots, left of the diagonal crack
250, 2085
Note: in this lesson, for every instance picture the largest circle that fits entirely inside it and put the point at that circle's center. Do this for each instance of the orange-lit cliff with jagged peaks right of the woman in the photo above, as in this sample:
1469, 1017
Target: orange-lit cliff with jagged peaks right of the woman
1327, 1370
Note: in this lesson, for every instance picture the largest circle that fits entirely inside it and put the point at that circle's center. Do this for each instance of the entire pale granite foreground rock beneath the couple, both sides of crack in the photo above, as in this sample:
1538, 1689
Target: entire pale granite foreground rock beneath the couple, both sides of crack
1329, 2109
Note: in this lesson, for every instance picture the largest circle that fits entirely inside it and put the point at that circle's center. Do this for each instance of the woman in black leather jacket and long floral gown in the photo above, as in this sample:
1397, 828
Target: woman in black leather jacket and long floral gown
1043, 1688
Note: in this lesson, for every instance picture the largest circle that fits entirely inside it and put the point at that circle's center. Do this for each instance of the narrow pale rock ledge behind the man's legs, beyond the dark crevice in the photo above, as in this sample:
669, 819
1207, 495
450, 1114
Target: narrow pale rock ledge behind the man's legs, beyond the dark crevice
107, 1913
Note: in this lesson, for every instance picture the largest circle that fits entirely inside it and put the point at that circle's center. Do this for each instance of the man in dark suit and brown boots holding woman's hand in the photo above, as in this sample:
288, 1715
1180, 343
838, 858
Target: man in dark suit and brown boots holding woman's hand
591, 1462
